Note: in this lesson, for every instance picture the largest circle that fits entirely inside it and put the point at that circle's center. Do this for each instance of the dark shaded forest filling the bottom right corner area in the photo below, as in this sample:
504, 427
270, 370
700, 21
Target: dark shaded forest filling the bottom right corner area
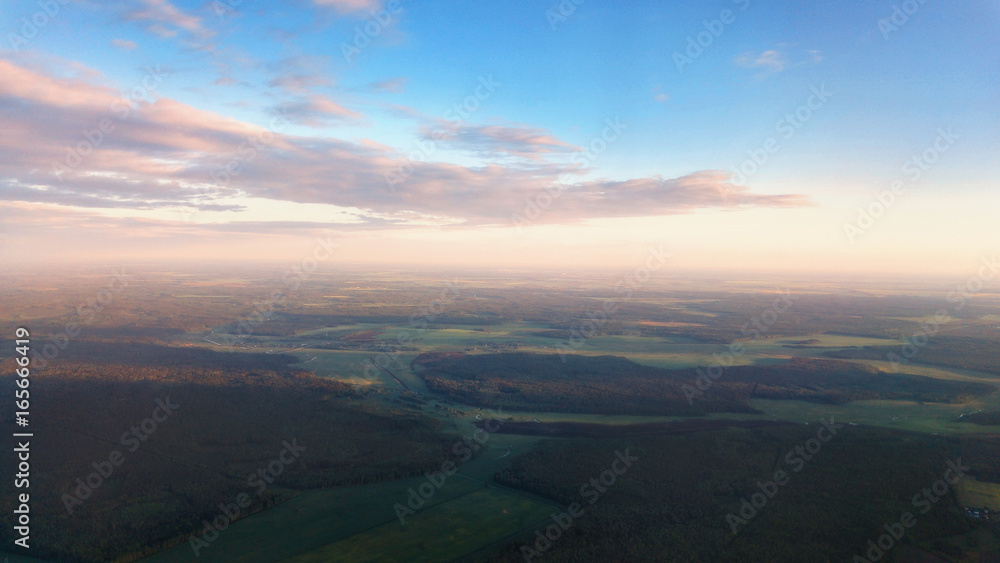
673, 500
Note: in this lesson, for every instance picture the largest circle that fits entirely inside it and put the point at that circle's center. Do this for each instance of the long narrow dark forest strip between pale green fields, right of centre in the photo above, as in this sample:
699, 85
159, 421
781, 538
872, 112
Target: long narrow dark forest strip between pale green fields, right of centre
615, 385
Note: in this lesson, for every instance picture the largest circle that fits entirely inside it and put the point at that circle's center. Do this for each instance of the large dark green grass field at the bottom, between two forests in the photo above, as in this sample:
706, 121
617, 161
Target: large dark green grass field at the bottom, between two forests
317, 524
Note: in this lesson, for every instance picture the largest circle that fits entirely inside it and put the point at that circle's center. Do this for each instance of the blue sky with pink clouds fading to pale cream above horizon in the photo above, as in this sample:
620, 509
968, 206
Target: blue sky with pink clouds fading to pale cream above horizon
737, 135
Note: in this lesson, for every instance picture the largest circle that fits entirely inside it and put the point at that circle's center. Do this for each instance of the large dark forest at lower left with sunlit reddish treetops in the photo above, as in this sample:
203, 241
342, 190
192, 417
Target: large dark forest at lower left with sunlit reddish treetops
235, 412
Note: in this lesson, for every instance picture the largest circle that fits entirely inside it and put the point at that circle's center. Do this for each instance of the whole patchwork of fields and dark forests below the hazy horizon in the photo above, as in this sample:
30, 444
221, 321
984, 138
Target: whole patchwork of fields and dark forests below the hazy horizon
387, 381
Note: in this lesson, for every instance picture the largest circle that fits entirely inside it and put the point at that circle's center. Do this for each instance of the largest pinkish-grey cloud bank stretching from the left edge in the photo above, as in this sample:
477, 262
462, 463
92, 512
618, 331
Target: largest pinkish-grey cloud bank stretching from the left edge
163, 153
